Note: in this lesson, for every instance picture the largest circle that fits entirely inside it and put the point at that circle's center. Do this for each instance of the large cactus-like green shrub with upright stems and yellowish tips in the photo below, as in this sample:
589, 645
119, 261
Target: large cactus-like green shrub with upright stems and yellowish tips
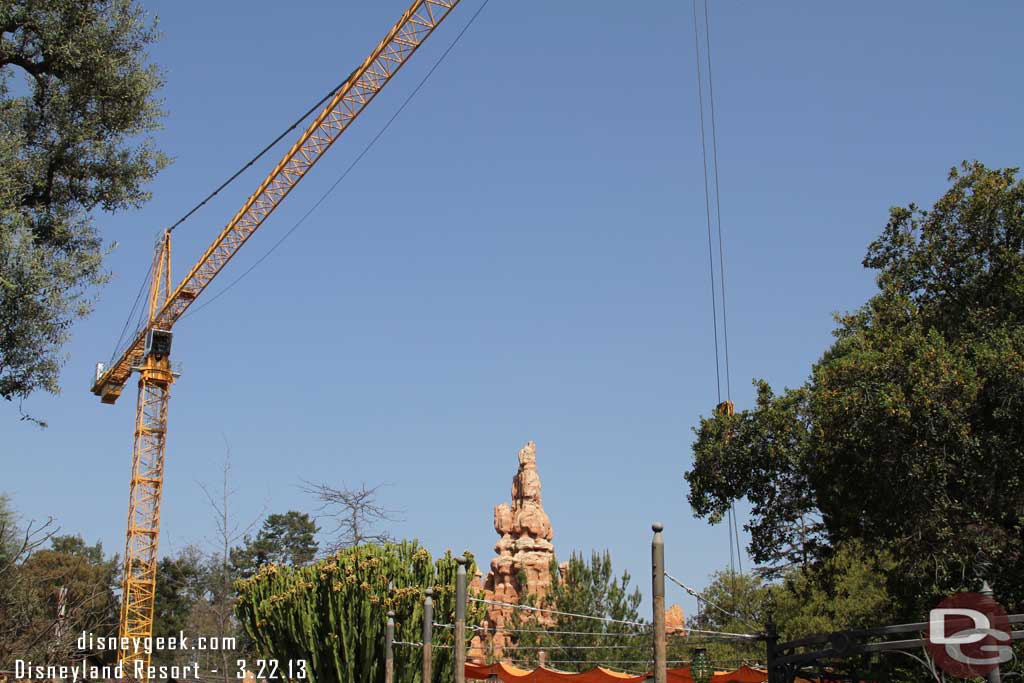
333, 613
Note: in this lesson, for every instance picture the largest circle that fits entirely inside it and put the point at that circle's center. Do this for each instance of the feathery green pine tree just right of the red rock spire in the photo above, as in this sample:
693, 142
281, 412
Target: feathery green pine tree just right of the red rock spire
591, 589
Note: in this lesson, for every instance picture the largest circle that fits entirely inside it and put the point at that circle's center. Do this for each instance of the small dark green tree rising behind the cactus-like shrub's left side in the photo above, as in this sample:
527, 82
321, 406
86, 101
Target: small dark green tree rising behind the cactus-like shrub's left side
284, 539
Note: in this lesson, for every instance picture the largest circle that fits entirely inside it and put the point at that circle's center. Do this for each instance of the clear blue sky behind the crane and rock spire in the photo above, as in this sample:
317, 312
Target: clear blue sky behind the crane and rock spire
523, 257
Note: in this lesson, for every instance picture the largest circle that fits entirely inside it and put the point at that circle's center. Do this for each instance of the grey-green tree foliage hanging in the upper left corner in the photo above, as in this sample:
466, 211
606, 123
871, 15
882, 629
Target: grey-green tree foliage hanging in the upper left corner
77, 104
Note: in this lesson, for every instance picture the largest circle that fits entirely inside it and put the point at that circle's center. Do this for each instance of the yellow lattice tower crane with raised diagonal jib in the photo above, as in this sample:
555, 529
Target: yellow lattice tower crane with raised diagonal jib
149, 353
